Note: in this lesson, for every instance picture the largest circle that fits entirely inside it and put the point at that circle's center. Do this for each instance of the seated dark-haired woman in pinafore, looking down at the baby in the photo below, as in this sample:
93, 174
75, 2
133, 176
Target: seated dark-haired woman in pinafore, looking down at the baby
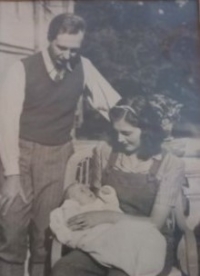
146, 181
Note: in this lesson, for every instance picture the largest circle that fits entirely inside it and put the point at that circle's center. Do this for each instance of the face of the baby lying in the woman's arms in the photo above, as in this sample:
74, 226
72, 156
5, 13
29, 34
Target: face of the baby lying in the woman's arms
81, 194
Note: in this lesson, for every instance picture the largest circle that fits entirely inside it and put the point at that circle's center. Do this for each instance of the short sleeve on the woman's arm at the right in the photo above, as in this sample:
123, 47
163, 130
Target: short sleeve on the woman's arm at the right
171, 176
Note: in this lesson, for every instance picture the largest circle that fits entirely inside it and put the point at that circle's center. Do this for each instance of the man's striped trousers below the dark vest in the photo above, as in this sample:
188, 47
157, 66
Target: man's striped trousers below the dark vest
42, 171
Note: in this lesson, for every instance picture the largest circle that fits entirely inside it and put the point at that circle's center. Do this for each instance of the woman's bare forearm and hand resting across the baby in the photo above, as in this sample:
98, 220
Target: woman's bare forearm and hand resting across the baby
93, 218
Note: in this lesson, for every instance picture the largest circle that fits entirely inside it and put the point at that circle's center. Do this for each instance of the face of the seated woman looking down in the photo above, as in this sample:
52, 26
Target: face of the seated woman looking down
128, 135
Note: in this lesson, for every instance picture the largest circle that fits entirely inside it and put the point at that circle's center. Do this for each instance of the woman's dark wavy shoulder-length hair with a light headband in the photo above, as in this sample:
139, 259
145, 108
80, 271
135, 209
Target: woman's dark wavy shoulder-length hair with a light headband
138, 111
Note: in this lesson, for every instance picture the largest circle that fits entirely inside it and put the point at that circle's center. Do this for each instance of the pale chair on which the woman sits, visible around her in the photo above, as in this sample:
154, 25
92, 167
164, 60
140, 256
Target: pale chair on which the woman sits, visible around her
78, 169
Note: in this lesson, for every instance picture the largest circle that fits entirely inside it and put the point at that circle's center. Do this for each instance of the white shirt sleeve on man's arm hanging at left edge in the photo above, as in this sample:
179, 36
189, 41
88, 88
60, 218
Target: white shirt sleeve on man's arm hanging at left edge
11, 102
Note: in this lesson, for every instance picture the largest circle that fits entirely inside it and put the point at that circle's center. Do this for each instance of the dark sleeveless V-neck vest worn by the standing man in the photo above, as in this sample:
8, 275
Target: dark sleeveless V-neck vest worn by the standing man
49, 107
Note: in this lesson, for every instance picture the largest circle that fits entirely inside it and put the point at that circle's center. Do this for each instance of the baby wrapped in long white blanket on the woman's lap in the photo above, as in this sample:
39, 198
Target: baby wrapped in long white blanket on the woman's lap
112, 245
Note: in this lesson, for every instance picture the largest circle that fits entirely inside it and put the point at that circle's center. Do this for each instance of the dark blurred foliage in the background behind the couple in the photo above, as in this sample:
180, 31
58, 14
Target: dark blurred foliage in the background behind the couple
145, 47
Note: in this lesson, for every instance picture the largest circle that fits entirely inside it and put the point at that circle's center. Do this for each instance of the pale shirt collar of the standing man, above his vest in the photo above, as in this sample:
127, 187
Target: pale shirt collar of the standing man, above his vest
51, 70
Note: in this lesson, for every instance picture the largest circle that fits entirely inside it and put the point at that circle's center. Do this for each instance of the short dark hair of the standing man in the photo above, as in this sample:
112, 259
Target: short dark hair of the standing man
65, 23
